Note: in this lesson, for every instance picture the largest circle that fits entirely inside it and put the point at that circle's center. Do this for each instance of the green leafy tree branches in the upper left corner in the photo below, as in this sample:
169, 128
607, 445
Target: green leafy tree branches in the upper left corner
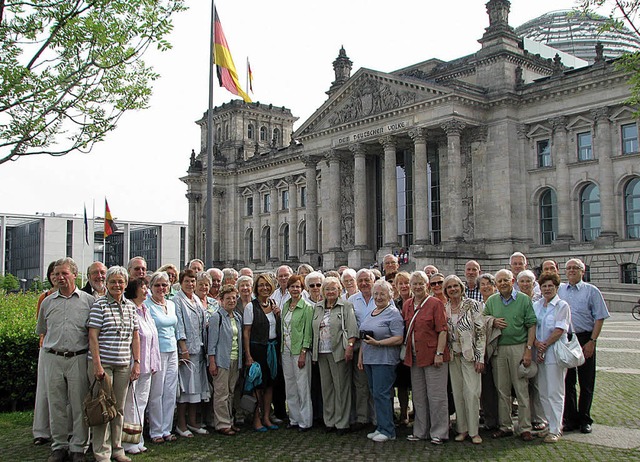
69, 69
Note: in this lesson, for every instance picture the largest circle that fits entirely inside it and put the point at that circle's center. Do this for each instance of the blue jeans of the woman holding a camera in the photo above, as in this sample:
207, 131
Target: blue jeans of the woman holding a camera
381, 378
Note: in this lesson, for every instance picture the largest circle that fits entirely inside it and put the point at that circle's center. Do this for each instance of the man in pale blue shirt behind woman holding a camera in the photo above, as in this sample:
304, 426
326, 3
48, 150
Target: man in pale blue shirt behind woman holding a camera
363, 304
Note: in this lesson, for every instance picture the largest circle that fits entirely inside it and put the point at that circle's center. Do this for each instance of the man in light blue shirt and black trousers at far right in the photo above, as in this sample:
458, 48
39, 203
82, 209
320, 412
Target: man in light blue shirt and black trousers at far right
588, 312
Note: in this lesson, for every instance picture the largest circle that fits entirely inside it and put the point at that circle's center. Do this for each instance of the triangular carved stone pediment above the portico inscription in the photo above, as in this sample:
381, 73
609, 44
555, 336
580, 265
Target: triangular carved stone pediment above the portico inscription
368, 94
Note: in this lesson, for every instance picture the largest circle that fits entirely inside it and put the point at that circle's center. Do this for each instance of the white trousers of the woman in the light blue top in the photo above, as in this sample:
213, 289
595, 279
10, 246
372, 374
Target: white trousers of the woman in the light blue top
162, 396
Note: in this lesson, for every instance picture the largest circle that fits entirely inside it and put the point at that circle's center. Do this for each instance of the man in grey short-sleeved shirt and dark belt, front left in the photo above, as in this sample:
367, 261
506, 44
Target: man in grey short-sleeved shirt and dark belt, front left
63, 321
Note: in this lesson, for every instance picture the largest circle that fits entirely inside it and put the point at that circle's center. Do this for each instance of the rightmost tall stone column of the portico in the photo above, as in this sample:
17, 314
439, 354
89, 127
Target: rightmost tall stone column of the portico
452, 215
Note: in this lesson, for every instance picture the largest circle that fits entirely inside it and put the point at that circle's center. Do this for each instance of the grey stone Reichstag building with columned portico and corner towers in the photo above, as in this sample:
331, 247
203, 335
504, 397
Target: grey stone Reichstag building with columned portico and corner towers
503, 150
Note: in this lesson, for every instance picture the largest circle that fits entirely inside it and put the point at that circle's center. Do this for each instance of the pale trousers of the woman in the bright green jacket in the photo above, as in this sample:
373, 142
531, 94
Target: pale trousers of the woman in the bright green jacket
298, 389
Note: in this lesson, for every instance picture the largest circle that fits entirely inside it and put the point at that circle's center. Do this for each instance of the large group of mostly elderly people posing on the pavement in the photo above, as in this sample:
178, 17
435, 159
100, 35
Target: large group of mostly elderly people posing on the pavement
213, 348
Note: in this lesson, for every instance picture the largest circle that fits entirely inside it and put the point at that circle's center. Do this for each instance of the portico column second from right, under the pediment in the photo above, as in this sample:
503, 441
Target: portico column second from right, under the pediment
420, 187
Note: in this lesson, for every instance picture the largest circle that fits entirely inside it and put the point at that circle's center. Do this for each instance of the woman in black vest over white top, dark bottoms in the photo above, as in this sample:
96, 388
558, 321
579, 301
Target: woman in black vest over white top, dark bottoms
261, 337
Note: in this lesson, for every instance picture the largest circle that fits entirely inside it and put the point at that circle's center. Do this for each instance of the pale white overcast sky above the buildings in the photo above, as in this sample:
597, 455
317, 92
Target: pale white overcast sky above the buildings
291, 45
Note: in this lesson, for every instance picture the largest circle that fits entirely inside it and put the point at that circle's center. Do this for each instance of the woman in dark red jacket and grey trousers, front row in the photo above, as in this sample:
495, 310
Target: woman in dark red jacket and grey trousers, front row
427, 355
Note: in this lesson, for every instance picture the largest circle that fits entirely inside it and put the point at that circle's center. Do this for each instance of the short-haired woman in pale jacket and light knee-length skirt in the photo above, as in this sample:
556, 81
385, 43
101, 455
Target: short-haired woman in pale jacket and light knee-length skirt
192, 370
